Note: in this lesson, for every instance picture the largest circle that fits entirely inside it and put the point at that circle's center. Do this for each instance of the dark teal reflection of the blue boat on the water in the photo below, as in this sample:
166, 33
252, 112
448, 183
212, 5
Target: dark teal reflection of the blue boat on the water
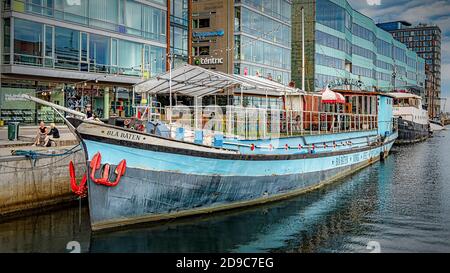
308, 221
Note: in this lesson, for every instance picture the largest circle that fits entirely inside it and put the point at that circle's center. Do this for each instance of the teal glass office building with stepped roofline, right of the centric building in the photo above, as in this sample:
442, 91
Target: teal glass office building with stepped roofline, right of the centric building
345, 49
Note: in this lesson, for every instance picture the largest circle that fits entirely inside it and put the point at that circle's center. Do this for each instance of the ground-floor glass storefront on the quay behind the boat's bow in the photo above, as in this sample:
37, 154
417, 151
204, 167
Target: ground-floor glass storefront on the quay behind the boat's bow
116, 100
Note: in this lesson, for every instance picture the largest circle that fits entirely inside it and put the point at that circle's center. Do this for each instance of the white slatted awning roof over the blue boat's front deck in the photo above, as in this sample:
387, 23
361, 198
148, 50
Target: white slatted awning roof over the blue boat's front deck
196, 81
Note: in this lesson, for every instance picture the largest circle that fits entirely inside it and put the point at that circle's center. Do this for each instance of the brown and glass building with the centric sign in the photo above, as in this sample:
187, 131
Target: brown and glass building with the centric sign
246, 37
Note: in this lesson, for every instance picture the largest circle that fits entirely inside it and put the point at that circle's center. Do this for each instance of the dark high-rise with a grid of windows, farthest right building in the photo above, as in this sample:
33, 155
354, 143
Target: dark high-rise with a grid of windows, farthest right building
425, 40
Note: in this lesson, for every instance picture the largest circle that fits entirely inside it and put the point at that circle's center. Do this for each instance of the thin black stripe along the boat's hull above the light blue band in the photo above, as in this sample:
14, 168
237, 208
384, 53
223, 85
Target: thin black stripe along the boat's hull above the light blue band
165, 149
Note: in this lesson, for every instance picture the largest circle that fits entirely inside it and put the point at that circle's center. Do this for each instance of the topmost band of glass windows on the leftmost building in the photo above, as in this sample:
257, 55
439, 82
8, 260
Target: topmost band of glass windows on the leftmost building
123, 16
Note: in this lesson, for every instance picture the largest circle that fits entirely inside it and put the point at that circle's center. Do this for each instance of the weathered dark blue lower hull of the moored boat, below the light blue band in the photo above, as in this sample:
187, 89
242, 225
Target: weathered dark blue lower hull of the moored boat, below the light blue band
114, 208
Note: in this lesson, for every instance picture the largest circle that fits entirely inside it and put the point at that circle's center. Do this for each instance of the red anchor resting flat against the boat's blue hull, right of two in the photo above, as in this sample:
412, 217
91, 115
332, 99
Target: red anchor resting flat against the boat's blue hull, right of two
104, 180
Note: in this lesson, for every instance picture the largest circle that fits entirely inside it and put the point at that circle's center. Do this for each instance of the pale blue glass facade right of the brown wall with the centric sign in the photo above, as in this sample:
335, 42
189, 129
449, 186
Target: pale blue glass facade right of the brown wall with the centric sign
263, 39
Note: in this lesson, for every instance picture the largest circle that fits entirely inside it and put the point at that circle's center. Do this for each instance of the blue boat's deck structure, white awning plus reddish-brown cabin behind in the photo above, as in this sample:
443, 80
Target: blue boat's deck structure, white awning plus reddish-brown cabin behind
193, 101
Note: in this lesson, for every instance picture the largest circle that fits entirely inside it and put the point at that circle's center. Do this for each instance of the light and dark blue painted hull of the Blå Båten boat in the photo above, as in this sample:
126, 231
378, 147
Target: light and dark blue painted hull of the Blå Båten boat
161, 185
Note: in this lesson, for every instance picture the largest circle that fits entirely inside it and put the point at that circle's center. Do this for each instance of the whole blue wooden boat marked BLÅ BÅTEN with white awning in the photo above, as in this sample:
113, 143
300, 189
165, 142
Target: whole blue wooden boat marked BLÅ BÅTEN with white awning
175, 160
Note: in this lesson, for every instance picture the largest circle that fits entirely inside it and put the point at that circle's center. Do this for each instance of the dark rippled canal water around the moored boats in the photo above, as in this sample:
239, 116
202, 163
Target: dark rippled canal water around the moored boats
400, 205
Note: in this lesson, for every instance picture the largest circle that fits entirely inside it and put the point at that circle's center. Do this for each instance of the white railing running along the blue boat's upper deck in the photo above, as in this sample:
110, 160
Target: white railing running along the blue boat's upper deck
257, 123
